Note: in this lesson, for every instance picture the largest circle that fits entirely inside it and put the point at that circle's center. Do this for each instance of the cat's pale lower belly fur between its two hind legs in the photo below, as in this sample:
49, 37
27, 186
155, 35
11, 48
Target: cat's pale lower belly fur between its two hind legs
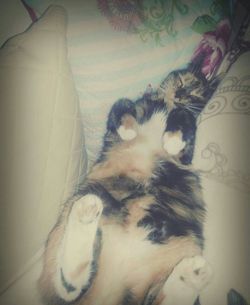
128, 262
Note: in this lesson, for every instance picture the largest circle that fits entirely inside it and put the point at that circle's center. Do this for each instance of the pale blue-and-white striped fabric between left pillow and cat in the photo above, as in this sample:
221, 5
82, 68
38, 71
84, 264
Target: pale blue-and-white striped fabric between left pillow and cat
109, 64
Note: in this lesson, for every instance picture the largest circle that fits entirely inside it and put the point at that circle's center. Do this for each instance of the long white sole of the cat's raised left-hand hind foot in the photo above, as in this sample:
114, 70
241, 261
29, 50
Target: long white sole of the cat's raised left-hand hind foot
77, 250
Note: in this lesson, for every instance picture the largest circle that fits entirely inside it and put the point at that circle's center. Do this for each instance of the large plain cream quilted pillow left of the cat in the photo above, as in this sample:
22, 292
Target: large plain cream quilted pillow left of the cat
43, 140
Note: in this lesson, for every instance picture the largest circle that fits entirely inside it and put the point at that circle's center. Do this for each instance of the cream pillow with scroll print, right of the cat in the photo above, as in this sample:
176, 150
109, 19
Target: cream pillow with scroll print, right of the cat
223, 142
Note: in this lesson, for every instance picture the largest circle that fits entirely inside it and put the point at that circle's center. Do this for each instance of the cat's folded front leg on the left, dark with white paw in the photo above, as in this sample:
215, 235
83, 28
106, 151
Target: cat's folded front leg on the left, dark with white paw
122, 119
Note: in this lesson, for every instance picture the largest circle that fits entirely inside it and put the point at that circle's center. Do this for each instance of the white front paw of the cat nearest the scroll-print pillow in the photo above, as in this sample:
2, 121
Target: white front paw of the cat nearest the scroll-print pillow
173, 143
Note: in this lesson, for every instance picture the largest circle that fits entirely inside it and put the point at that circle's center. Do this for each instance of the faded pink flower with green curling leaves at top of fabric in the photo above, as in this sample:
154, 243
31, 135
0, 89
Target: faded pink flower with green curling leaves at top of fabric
144, 17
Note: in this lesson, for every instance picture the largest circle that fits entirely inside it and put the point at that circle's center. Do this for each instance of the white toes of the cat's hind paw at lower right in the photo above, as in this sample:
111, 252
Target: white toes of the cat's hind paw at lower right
195, 272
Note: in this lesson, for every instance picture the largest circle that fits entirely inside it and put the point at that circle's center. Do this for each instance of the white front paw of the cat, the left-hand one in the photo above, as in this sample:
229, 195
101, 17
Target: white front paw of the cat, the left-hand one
128, 129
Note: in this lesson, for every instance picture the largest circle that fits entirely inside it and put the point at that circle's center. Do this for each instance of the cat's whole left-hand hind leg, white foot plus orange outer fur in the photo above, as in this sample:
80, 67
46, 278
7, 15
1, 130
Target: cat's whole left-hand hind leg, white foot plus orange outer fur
72, 251
